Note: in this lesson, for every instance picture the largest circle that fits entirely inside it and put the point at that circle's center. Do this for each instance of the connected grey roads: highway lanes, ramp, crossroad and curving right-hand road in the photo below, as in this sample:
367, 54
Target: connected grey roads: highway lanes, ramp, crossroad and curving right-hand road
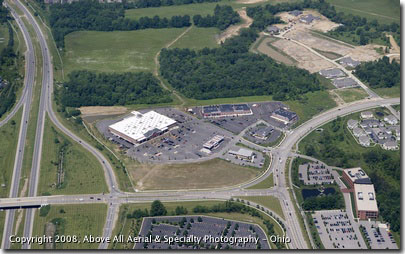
116, 197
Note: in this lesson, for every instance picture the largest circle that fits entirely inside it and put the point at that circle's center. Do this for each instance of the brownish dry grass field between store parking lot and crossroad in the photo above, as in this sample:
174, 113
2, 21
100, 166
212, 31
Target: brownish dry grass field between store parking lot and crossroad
201, 175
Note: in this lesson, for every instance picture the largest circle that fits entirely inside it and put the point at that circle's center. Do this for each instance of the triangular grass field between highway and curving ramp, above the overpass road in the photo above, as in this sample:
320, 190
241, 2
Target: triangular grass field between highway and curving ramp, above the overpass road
83, 173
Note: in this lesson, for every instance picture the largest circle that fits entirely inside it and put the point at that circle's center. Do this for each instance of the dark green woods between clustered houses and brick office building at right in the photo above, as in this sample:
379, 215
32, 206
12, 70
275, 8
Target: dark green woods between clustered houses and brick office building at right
383, 167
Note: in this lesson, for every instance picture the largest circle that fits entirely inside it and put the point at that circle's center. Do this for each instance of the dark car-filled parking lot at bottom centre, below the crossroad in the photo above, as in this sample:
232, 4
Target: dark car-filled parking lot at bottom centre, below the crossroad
203, 227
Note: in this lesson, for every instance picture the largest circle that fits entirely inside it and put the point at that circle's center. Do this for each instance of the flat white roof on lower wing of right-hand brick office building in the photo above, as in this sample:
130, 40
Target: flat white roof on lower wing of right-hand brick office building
365, 197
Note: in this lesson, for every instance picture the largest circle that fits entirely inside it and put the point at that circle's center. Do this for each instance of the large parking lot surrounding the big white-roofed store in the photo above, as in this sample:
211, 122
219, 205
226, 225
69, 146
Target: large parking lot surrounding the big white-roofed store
182, 143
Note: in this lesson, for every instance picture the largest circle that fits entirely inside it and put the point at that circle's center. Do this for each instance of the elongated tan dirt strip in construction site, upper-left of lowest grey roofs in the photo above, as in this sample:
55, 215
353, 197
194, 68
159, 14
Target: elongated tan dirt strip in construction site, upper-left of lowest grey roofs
305, 58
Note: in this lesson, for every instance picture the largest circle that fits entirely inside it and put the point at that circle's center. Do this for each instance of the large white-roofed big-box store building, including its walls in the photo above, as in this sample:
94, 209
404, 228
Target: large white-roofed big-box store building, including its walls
139, 127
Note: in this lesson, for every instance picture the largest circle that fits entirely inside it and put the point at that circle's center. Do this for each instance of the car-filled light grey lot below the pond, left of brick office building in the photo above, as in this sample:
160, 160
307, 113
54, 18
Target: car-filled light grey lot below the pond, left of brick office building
337, 230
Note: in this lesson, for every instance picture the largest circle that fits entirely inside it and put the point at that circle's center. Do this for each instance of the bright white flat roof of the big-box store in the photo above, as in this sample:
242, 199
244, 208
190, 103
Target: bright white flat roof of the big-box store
139, 124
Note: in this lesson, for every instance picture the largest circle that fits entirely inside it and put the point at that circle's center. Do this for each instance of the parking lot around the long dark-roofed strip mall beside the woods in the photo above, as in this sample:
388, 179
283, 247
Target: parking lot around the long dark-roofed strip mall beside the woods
237, 124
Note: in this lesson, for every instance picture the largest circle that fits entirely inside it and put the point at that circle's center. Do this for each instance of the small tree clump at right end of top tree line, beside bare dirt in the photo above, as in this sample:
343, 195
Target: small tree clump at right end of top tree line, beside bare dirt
223, 17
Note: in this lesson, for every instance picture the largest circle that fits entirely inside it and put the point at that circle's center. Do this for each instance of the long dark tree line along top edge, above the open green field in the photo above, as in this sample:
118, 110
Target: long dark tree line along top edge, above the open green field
95, 16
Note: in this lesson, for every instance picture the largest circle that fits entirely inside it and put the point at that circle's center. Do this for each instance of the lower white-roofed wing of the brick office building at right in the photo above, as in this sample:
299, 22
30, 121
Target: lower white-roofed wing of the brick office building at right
365, 201
